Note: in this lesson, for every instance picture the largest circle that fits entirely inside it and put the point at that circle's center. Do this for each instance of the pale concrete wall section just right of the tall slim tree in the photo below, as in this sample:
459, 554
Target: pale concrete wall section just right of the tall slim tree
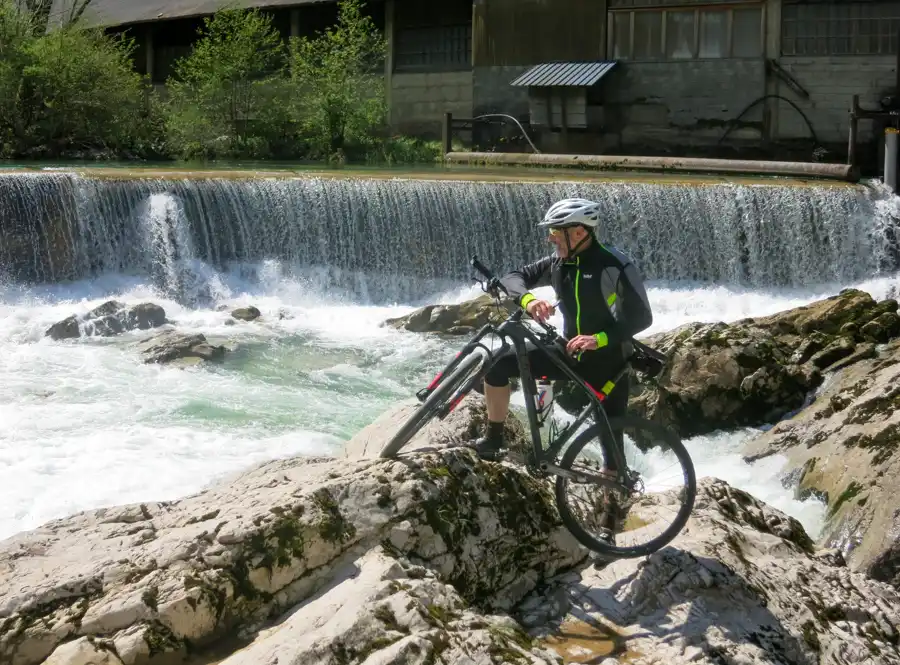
419, 100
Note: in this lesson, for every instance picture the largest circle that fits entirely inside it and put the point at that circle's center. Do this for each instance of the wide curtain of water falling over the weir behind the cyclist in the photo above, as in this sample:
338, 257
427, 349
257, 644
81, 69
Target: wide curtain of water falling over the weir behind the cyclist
388, 238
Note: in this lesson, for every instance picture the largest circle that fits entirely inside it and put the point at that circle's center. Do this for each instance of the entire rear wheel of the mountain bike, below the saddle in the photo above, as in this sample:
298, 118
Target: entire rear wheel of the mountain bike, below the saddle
587, 509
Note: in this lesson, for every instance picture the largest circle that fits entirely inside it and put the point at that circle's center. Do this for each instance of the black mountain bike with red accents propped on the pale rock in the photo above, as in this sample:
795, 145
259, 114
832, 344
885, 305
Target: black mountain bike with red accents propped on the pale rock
603, 479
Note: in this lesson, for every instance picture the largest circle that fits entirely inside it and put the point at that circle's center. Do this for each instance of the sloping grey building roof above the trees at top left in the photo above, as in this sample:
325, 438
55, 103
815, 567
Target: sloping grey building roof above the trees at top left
110, 13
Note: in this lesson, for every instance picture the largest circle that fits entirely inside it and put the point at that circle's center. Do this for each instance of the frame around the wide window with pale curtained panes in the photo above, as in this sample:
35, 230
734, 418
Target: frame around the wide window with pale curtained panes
663, 12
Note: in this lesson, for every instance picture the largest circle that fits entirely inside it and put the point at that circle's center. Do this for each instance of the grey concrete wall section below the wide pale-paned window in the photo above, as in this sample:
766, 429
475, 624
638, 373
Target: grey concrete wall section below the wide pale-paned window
684, 103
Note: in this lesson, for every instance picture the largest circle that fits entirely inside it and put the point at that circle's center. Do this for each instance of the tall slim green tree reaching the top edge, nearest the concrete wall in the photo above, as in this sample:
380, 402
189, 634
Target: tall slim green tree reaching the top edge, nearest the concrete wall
339, 83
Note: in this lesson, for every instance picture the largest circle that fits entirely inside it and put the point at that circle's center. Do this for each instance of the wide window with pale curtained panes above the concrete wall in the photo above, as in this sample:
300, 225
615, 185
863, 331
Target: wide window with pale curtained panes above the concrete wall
681, 34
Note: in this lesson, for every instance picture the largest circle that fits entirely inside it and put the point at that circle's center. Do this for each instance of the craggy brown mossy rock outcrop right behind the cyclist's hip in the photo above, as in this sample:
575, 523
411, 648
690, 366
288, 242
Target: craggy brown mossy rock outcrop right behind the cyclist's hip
757, 370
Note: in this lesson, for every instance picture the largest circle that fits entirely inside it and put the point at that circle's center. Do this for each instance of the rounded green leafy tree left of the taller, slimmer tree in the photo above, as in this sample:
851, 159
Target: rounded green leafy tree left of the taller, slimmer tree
227, 97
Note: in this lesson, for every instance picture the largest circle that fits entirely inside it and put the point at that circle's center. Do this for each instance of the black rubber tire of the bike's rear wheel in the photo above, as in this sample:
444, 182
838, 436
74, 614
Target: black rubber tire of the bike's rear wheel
589, 541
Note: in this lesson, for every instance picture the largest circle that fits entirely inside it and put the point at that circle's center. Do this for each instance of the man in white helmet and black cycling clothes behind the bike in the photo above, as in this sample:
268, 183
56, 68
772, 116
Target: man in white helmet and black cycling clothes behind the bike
603, 301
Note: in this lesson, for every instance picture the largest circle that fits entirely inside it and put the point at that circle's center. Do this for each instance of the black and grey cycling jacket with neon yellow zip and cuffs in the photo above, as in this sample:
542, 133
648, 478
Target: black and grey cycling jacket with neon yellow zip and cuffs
600, 293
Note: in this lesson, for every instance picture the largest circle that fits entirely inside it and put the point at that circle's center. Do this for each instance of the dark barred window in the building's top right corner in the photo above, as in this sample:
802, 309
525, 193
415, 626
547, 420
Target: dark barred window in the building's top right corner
845, 28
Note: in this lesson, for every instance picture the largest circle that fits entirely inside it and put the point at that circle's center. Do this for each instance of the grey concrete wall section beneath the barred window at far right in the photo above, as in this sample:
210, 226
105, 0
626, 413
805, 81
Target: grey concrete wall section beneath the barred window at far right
831, 83
